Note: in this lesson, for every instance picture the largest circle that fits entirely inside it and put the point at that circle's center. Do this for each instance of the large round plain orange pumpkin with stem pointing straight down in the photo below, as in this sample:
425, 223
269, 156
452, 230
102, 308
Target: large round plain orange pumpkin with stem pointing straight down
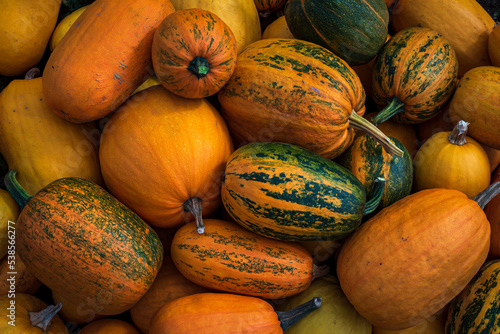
170, 188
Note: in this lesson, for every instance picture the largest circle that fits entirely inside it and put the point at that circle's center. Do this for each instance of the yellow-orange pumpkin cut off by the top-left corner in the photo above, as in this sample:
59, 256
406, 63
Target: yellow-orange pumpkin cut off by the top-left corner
26, 29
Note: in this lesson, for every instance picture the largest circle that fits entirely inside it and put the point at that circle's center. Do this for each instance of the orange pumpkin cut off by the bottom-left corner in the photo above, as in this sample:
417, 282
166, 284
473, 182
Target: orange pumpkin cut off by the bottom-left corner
25, 303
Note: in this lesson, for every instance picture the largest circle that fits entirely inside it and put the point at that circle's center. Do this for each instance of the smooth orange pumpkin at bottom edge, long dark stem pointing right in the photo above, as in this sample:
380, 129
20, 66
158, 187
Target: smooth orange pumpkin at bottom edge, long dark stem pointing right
213, 313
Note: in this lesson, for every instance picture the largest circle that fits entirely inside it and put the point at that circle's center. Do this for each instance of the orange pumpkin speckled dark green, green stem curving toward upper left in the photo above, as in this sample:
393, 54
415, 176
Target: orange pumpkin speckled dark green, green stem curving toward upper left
113, 265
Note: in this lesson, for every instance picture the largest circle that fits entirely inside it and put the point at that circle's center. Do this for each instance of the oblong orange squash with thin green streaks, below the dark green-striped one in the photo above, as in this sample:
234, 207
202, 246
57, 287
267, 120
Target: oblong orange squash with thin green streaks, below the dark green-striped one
229, 258
